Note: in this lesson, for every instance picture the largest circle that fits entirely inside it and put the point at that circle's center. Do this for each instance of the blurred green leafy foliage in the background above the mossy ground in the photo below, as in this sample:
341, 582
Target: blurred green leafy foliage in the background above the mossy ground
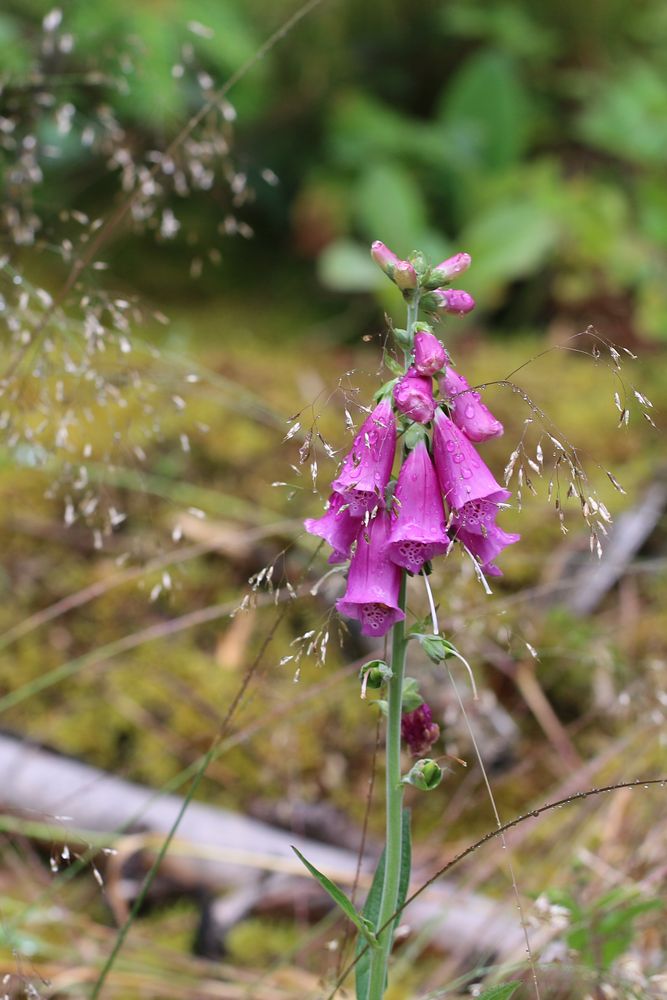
533, 136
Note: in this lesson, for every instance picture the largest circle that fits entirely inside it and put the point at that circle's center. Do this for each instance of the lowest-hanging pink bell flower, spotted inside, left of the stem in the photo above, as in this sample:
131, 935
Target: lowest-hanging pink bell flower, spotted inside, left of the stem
373, 581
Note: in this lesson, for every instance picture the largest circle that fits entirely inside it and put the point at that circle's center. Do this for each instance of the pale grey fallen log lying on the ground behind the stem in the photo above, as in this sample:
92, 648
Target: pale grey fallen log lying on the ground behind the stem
217, 850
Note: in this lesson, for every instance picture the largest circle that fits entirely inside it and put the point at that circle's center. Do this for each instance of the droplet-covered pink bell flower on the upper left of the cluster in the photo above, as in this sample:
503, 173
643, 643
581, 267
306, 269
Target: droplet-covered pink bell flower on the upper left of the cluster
366, 469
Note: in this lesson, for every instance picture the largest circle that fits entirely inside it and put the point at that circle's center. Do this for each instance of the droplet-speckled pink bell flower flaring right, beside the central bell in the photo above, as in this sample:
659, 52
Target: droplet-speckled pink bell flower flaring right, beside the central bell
462, 474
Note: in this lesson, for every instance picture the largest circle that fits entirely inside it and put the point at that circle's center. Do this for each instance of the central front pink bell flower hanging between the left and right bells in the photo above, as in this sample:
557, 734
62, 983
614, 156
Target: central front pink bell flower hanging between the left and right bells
418, 522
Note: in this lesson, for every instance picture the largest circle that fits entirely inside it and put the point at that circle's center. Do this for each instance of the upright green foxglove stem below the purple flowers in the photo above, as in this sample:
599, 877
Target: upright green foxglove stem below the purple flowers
394, 807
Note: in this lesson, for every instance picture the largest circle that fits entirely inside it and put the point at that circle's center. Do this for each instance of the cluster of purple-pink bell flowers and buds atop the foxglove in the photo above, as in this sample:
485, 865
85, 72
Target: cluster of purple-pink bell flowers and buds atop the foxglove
385, 531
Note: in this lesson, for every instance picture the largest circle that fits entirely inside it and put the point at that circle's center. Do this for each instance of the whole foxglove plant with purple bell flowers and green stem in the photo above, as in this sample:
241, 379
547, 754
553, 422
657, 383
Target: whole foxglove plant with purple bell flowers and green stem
392, 514
